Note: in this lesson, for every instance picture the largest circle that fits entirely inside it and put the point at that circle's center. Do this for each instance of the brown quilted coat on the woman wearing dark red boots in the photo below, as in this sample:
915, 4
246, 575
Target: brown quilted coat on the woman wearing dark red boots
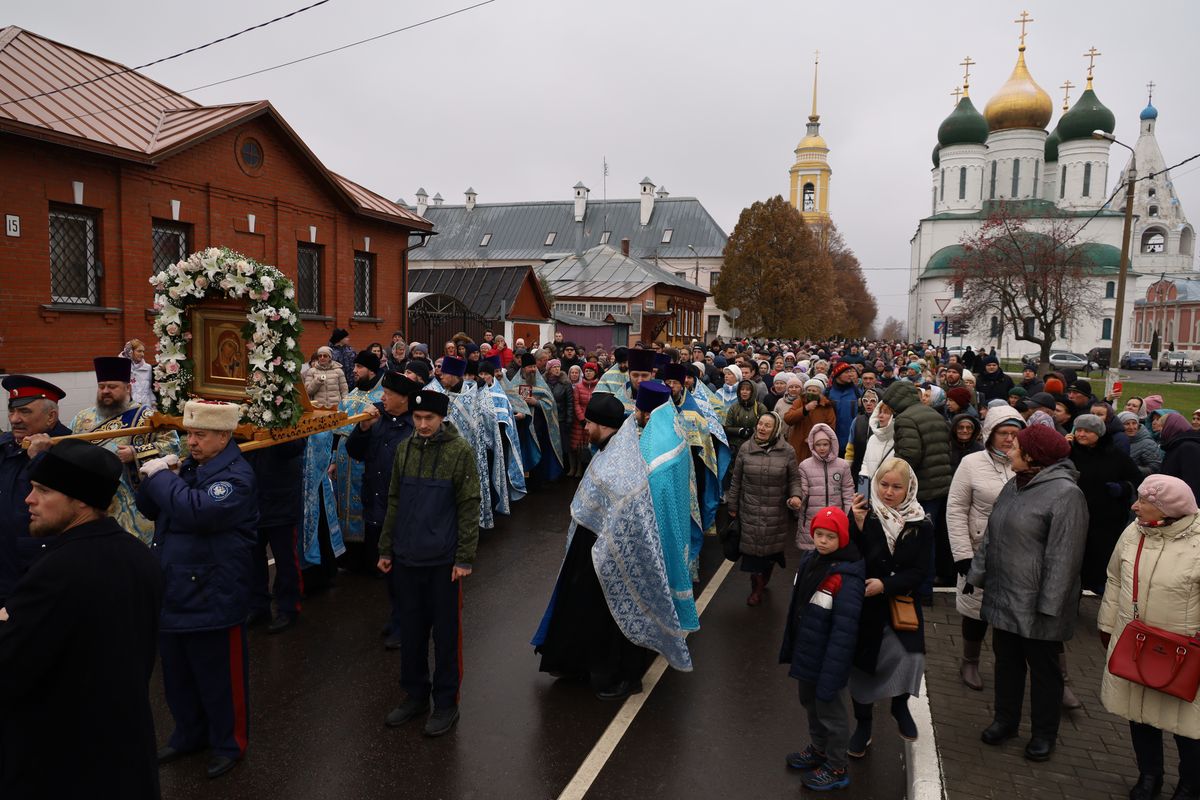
764, 480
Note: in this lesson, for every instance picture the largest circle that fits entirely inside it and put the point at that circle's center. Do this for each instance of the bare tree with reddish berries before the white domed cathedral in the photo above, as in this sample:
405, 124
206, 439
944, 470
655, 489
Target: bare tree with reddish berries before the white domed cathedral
1031, 272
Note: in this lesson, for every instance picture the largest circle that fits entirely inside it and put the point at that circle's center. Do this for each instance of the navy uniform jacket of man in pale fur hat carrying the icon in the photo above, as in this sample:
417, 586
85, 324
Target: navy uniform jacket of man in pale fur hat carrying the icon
206, 527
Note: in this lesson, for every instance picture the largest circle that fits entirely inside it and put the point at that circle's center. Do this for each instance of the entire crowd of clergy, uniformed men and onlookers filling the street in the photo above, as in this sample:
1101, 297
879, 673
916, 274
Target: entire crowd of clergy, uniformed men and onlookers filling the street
892, 468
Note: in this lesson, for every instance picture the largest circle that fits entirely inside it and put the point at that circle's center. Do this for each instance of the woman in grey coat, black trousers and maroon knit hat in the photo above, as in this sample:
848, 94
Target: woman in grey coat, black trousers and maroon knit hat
1030, 563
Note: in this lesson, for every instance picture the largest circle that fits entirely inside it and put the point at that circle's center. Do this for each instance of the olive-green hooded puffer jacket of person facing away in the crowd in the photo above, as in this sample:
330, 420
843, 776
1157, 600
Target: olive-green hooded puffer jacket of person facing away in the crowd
923, 440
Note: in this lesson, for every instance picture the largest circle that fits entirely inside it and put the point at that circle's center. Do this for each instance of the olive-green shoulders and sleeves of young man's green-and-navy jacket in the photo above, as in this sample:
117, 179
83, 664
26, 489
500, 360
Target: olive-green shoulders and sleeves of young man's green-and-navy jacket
417, 458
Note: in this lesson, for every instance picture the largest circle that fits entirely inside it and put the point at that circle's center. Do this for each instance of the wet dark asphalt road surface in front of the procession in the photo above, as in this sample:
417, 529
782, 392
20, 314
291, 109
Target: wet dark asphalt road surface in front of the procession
320, 694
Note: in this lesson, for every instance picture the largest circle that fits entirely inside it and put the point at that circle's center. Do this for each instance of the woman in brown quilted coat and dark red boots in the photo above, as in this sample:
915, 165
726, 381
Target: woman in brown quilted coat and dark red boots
765, 494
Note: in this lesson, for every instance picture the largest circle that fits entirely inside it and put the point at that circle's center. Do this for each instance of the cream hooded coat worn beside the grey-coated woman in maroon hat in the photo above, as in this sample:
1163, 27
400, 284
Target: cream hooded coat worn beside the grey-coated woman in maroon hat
977, 484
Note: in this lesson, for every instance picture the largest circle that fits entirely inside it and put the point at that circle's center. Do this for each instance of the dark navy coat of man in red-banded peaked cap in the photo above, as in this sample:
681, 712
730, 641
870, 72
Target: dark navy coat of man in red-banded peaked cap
19, 550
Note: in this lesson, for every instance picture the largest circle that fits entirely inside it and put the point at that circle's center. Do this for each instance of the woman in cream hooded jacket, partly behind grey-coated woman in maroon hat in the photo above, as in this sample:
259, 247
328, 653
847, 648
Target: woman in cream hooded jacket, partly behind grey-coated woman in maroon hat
976, 485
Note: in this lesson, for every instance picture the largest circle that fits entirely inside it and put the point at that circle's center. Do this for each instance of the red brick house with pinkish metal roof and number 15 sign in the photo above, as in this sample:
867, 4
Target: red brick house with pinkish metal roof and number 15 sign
107, 178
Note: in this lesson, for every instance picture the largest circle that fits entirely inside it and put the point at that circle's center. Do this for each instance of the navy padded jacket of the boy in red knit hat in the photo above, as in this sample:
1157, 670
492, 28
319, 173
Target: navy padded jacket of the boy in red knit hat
823, 630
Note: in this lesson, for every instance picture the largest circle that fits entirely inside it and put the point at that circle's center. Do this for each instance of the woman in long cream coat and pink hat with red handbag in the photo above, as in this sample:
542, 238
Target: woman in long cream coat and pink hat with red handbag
1168, 528
